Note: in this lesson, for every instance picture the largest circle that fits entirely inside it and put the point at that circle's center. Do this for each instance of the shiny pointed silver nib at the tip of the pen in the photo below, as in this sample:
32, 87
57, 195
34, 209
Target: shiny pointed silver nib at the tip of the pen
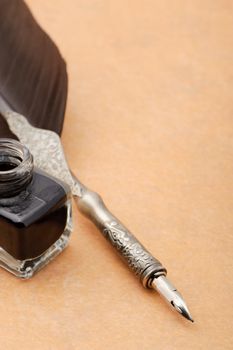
170, 293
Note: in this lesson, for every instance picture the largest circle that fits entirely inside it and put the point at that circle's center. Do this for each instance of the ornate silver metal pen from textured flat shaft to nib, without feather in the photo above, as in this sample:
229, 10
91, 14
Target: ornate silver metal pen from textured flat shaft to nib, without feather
150, 271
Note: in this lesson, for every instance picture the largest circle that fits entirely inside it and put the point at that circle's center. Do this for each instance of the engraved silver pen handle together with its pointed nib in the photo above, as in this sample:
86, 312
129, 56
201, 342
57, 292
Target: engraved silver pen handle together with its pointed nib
151, 272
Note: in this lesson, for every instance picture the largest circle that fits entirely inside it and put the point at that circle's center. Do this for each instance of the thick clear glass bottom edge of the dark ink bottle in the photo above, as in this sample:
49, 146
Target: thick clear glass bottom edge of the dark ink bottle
27, 268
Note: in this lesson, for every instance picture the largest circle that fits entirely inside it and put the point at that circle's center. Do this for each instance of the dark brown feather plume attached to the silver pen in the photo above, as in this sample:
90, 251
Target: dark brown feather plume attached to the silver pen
33, 78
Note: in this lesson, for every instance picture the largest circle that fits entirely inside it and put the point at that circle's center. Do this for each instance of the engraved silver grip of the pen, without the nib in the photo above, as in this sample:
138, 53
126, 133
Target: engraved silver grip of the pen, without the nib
134, 254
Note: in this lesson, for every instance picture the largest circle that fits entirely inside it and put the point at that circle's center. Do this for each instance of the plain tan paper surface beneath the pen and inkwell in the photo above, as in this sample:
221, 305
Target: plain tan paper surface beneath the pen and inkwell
149, 126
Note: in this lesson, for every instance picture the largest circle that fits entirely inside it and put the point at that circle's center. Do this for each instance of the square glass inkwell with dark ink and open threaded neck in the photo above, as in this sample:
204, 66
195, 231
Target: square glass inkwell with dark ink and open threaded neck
35, 212
